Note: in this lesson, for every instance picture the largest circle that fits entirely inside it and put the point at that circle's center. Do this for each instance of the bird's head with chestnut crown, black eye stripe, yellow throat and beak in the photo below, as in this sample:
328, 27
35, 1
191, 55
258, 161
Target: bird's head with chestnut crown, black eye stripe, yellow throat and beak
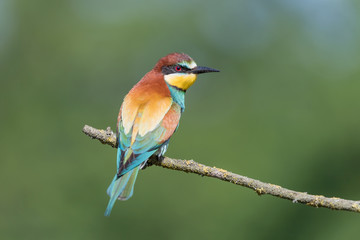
180, 70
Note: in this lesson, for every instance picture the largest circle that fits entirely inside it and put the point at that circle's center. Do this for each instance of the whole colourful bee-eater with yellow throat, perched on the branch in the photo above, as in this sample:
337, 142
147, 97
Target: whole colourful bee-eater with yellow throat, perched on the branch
148, 117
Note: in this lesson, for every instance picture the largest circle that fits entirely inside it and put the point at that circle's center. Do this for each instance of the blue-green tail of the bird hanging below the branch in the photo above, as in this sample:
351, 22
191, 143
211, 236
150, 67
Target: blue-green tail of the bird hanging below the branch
121, 188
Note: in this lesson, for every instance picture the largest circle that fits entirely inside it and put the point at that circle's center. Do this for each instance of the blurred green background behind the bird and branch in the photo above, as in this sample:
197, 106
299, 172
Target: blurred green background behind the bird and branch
284, 109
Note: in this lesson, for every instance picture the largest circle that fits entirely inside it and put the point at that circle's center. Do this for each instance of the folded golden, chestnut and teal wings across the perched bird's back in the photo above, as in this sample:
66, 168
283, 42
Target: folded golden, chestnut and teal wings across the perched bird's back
152, 125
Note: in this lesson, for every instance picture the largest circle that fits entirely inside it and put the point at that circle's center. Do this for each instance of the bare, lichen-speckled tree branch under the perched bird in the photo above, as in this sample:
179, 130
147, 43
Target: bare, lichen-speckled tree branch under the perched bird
190, 166
